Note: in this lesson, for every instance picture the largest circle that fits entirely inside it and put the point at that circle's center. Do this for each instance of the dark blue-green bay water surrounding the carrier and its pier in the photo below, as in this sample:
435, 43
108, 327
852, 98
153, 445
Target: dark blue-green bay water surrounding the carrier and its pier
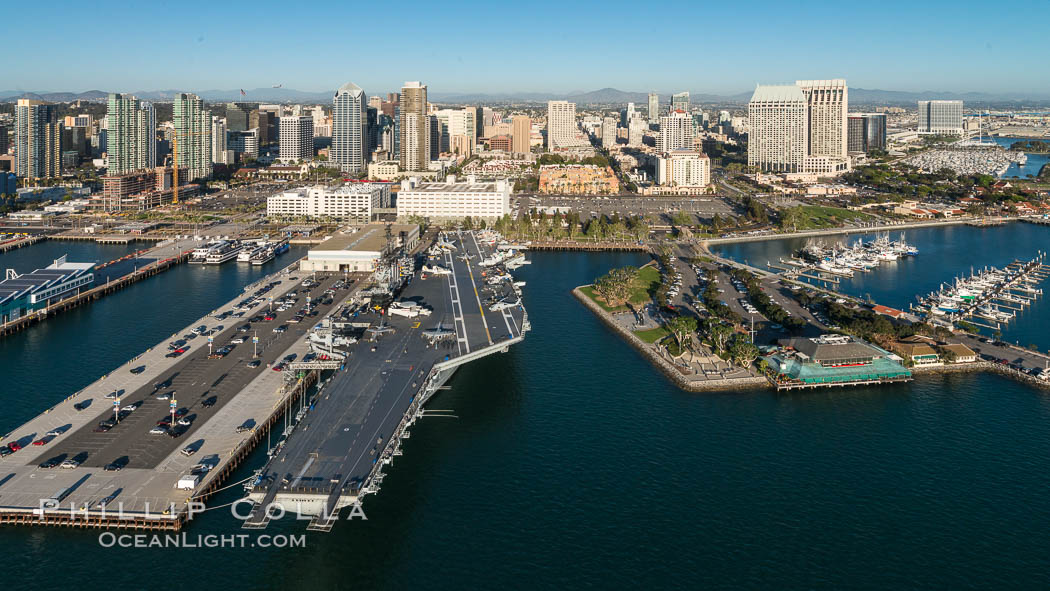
574, 463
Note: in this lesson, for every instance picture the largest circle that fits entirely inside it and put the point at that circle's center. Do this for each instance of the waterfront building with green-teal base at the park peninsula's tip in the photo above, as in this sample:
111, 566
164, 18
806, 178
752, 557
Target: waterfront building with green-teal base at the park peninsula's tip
831, 361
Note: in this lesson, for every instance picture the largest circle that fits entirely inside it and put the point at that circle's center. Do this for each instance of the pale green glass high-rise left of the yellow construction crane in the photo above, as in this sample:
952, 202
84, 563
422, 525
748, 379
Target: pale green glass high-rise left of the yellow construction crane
132, 135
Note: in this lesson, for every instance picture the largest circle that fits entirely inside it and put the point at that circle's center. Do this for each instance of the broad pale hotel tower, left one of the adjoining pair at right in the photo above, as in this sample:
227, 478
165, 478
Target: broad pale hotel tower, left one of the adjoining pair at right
780, 129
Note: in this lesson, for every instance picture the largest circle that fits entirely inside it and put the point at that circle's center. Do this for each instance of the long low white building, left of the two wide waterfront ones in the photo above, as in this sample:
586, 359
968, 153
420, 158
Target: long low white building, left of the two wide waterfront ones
351, 202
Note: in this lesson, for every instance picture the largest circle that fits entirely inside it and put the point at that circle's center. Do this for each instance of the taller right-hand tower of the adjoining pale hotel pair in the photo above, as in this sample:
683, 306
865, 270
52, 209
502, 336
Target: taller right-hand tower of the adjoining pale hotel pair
828, 102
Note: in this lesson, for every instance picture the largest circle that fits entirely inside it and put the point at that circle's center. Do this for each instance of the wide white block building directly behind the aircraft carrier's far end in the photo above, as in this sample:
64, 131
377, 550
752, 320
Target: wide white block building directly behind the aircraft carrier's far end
454, 200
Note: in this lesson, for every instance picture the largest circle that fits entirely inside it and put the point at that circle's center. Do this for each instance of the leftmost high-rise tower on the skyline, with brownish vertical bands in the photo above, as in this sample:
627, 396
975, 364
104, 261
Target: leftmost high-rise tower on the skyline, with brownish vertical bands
38, 140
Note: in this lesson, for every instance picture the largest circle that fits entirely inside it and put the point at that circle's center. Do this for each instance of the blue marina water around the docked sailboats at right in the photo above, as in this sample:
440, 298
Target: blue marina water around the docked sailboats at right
944, 254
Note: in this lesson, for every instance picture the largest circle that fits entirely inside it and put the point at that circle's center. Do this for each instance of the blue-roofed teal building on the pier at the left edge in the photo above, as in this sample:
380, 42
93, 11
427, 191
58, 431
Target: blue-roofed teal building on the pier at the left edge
25, 294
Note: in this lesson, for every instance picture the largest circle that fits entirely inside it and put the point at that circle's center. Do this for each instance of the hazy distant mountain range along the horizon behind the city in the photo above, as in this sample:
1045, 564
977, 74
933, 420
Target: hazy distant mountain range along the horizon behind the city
604, 96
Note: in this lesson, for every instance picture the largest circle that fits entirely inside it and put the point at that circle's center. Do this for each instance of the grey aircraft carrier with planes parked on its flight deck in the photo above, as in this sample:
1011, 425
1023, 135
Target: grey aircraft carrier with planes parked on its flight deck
461, 306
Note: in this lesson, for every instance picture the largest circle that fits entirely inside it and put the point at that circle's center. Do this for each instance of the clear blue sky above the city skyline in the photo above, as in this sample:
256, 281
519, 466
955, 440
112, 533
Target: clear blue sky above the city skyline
542, 47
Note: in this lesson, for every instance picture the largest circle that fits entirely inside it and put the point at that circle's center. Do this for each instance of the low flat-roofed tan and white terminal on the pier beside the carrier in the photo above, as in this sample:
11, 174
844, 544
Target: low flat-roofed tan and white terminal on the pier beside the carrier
362, 251
